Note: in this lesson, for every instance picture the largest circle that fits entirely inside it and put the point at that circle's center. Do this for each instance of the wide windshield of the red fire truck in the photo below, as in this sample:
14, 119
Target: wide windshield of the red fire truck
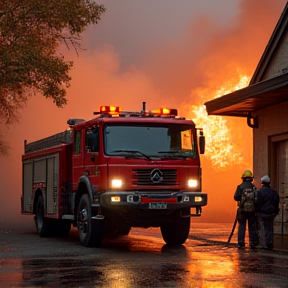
171, 141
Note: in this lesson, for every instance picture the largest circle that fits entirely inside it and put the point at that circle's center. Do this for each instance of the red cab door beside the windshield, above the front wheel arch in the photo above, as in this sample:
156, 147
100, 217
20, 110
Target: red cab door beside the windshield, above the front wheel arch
91, 155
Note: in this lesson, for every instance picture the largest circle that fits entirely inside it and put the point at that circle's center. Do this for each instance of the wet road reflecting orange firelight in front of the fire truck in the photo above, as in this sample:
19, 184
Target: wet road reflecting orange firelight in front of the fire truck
138, 260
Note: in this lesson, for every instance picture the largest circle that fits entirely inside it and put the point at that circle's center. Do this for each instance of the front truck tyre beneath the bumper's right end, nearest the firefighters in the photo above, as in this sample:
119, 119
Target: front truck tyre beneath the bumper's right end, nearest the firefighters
176, 233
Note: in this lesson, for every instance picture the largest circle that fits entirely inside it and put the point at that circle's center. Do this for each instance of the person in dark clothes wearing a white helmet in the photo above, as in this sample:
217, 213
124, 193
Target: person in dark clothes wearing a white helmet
268, 209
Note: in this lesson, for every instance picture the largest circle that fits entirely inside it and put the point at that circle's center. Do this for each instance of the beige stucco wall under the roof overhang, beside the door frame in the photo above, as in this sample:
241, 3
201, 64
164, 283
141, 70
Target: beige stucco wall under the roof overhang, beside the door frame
272, 121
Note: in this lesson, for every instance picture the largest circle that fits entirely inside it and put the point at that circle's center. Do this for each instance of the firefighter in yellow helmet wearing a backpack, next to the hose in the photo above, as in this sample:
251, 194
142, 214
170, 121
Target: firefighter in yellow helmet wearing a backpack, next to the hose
244, 216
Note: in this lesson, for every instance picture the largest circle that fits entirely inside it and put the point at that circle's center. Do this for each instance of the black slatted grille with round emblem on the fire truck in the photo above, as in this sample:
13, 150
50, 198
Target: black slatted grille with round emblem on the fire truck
143, 177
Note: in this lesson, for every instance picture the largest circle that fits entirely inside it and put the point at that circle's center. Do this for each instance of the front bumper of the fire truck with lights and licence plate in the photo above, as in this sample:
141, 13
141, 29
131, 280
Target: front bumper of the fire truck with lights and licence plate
168, 201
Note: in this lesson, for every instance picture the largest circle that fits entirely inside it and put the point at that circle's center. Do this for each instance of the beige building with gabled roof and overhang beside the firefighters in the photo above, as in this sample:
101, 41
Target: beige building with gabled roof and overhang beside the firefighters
265, 105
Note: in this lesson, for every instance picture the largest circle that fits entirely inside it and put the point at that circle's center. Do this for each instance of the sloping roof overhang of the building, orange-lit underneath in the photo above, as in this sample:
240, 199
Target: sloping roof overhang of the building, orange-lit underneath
244, 102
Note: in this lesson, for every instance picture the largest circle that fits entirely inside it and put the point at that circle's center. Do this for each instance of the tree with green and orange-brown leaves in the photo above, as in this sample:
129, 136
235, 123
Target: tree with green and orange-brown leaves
31, 33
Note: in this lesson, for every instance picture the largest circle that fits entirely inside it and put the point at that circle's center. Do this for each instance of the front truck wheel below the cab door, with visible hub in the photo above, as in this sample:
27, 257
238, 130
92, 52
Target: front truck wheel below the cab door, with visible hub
91, 232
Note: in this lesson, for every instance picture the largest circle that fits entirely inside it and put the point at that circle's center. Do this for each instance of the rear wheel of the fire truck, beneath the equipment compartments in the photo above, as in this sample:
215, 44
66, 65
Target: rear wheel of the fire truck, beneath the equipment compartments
42, 223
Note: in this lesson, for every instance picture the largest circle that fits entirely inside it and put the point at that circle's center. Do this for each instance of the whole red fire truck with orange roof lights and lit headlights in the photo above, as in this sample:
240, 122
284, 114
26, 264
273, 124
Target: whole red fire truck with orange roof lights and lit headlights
119, 170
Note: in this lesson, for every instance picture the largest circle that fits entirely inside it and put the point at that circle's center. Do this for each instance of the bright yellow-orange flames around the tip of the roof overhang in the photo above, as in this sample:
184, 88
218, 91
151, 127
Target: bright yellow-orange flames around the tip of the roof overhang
221, 146
